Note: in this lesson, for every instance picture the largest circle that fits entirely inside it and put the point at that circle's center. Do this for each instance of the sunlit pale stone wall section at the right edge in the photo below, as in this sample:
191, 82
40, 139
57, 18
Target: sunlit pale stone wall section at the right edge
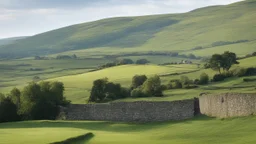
228, 105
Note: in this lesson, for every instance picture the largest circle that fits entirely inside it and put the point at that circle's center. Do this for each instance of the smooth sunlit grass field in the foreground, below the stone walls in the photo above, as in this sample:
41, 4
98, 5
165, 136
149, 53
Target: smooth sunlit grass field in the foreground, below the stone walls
200, 130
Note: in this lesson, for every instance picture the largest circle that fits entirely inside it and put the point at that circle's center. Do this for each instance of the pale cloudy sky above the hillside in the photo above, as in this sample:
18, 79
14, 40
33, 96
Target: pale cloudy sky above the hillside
30, 17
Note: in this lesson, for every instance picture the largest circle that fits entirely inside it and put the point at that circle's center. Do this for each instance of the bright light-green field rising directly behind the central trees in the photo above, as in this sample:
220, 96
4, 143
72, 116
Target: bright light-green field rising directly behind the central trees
78, 86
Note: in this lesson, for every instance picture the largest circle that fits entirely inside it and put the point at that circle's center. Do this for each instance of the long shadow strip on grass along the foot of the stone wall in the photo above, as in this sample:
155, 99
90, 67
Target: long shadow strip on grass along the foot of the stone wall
101, 125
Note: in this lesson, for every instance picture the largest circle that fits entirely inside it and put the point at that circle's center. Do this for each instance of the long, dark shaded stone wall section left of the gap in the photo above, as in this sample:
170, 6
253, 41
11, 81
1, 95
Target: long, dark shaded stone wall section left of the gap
132, 111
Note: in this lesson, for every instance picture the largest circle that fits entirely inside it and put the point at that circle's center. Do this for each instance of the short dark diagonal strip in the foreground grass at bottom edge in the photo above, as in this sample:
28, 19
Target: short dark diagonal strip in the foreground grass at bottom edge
76, 140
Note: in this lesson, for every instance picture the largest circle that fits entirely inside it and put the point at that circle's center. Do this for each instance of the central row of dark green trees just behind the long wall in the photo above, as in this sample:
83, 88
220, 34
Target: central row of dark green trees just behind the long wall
142, 86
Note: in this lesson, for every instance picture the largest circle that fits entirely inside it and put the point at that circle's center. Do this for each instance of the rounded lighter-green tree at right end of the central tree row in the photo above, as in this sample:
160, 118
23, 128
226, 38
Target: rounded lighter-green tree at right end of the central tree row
152, 86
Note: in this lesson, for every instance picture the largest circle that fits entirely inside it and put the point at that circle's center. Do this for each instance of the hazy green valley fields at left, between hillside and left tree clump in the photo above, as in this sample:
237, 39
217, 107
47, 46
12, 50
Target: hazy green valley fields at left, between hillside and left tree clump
17, 73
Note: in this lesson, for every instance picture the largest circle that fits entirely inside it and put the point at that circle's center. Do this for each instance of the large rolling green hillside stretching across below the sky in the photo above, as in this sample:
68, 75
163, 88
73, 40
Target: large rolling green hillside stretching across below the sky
212, 29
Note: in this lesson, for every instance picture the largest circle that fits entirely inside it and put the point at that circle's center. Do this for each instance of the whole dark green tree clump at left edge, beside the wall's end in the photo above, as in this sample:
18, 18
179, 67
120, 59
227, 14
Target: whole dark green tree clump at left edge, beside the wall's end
33, 102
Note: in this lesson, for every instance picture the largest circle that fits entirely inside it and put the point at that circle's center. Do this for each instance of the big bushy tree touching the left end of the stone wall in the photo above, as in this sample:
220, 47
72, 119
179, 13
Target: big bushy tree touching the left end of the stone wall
42, 101
